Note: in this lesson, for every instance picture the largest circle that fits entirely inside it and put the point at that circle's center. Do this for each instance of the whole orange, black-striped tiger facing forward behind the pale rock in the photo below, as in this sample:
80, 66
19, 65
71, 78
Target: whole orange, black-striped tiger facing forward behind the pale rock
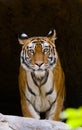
41, 77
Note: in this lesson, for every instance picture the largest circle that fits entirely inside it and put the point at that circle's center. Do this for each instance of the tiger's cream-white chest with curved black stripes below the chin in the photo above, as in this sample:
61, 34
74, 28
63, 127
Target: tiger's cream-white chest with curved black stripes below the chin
41, 95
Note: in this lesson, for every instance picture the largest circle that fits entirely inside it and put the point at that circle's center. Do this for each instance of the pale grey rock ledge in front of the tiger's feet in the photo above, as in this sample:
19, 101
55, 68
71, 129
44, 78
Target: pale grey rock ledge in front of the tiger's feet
22, 123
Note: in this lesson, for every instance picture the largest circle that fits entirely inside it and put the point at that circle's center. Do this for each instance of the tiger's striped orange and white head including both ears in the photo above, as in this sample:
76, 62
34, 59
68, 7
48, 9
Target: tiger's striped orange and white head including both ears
38, 53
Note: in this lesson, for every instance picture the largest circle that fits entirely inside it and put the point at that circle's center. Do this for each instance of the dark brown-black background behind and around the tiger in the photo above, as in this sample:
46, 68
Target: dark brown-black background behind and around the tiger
37, 17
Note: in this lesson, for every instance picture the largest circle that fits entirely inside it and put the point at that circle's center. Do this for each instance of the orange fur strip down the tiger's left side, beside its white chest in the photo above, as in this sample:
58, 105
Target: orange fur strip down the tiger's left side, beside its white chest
22, 86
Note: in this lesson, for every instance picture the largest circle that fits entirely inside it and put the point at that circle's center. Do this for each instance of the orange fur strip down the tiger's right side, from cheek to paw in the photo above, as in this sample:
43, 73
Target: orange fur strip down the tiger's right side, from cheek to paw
59, 82
